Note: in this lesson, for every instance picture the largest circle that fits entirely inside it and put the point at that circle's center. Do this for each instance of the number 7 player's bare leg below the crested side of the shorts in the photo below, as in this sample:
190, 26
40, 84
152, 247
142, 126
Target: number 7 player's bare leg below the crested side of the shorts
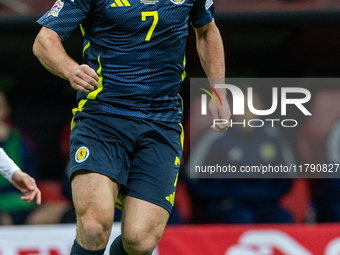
94, 196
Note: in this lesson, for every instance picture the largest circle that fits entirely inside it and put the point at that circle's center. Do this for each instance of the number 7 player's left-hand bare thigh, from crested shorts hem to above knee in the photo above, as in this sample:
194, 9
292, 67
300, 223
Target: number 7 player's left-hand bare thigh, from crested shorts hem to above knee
94, 195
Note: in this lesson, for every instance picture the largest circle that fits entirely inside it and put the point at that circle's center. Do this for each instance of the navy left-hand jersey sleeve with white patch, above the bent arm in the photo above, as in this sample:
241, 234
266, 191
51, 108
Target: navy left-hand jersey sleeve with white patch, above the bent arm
65, 16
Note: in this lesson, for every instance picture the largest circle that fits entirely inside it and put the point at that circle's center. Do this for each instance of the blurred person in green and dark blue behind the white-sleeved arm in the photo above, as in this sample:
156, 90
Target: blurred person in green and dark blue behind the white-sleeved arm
13, 210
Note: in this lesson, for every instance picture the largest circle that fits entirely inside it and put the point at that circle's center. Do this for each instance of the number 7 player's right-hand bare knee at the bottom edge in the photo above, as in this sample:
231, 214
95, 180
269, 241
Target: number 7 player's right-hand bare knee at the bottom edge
141, 244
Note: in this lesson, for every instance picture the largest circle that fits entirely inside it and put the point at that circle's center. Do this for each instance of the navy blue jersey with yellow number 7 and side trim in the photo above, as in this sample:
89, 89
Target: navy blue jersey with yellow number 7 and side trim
137, 48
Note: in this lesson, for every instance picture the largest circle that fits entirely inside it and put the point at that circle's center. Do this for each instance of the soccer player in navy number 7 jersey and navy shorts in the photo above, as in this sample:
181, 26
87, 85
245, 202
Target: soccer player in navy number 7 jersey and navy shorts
126, 140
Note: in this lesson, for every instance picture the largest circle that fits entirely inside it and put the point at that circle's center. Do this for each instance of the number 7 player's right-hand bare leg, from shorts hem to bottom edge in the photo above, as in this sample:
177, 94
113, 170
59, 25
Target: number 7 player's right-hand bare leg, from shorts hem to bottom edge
143, 224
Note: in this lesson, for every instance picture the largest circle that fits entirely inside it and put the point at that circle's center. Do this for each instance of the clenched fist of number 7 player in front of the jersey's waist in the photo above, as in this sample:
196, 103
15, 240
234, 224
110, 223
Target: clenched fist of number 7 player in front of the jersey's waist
84, 78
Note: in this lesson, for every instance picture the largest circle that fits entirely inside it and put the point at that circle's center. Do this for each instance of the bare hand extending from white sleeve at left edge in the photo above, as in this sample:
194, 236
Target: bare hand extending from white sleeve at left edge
26, 184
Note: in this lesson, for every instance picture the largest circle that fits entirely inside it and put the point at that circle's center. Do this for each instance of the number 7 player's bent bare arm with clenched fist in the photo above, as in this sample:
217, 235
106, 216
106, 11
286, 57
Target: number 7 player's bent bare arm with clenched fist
49, 50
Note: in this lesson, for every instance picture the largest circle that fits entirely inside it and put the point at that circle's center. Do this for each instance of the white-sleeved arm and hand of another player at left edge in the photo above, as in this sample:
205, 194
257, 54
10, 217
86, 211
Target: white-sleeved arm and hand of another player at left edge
20, 180
